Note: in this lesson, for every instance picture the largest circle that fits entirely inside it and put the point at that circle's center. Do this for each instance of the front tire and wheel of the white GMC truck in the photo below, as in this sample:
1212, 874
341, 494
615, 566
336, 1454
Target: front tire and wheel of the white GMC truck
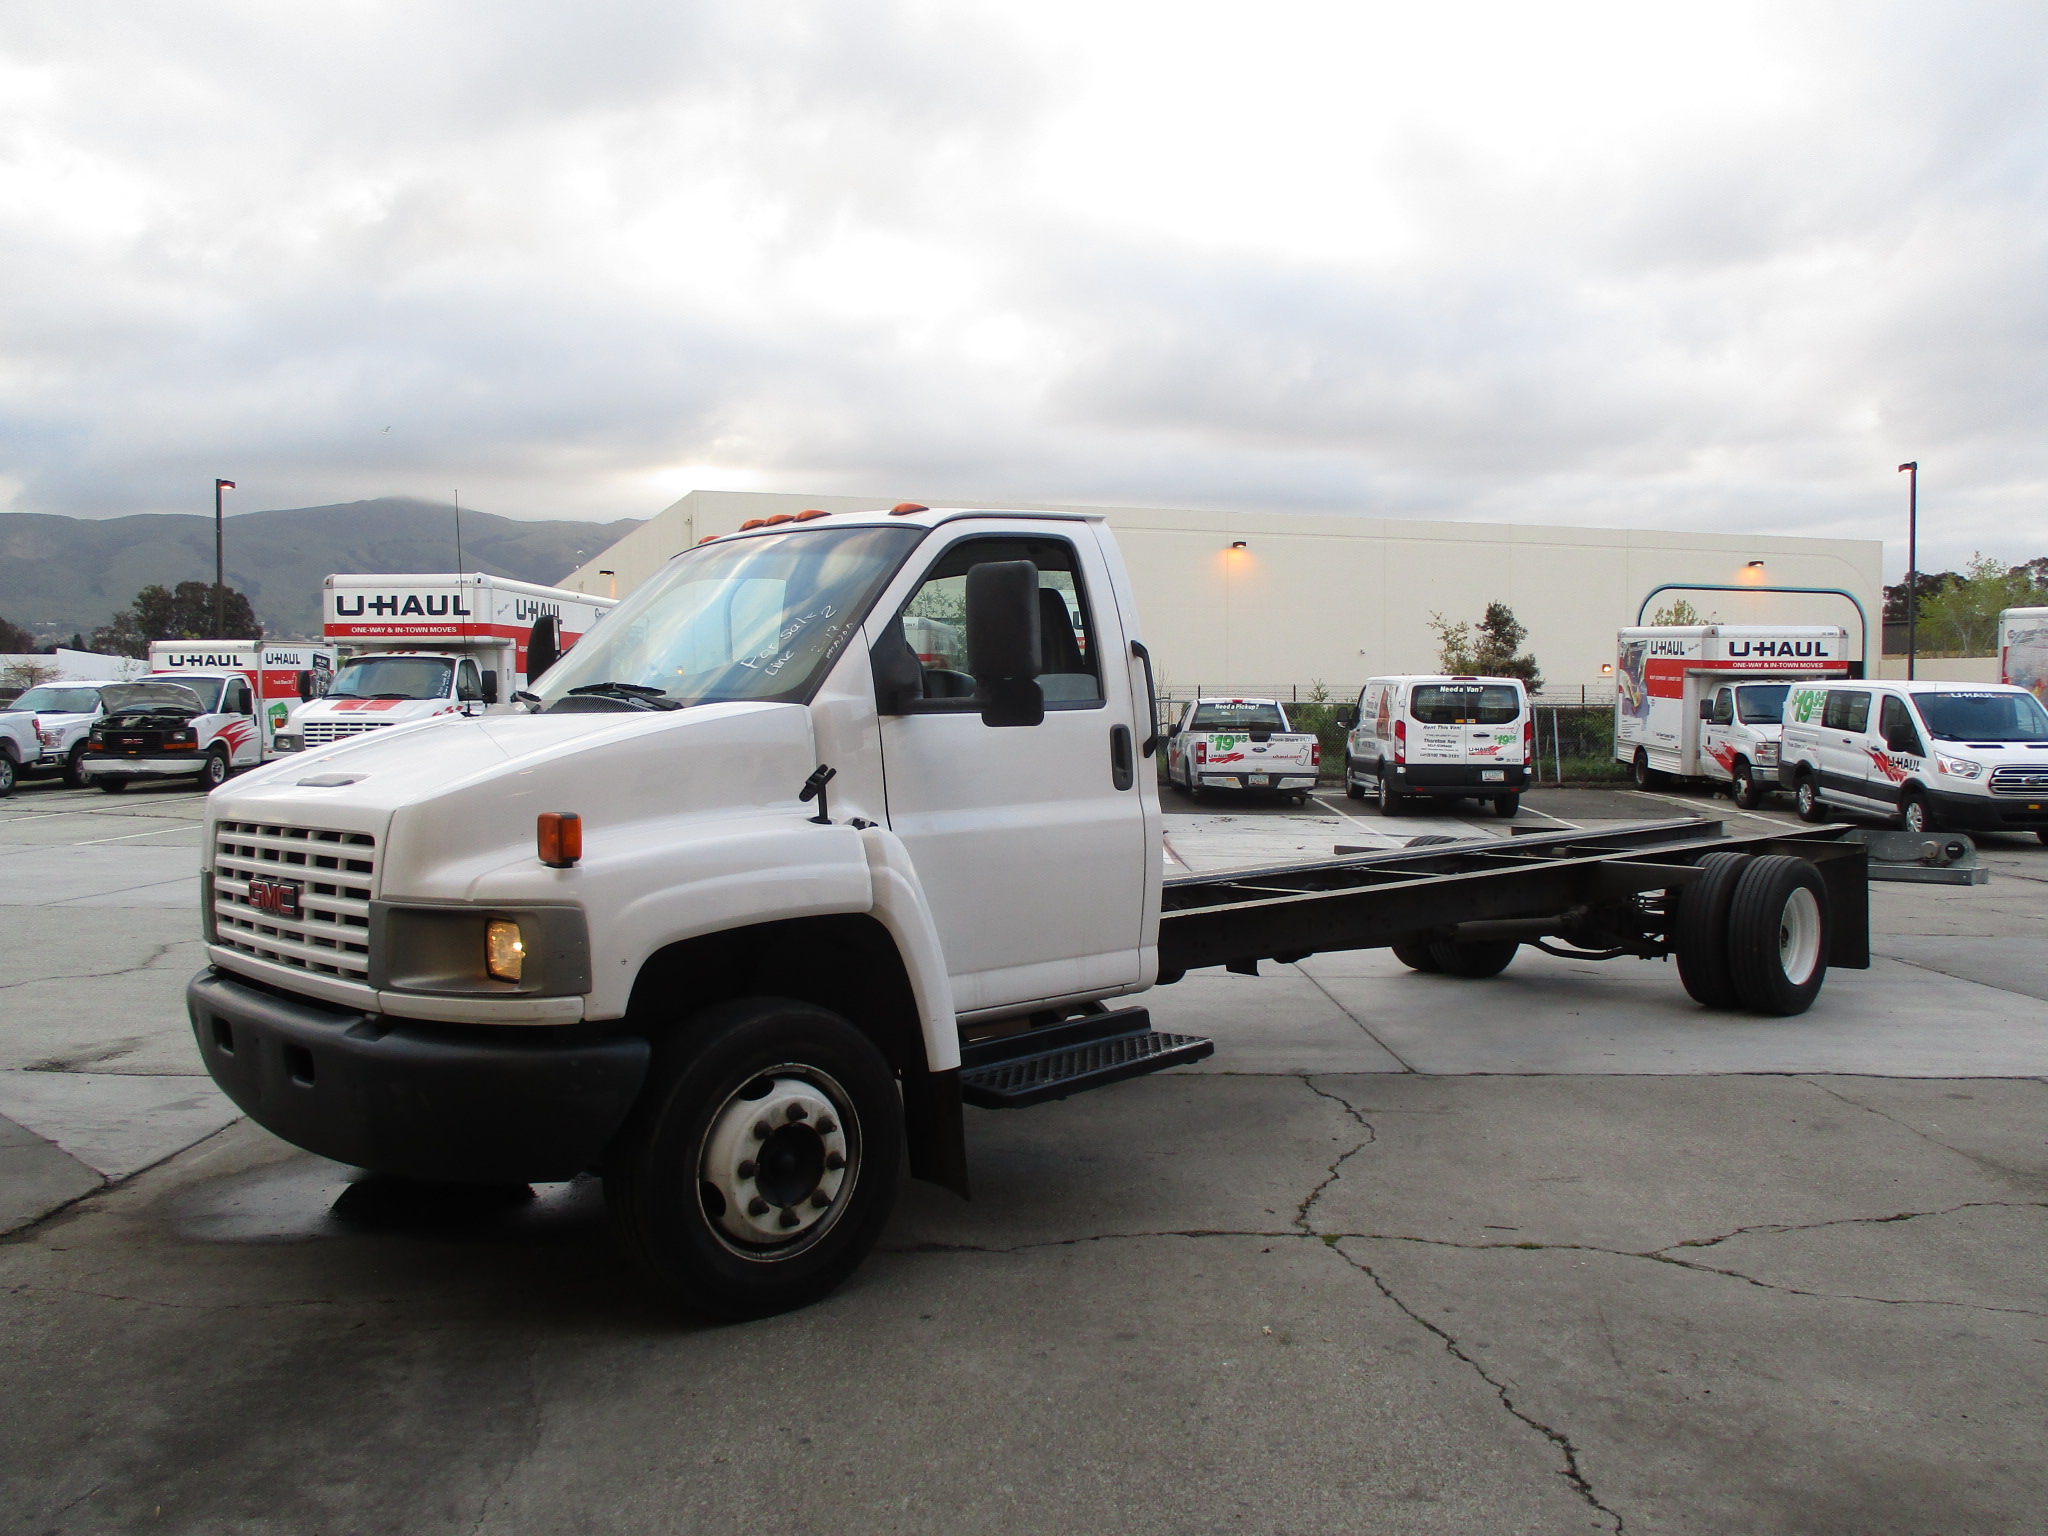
761, 1162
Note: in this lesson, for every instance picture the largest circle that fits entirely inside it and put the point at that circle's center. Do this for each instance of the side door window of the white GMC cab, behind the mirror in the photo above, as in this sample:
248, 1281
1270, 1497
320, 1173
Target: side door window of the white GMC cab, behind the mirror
935, 624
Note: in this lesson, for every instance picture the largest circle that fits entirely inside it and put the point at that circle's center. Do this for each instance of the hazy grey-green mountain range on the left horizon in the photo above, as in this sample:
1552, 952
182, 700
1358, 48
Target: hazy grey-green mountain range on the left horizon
62, 577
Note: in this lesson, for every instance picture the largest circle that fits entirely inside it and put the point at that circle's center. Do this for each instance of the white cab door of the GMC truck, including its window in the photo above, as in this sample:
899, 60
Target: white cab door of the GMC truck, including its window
1037, 845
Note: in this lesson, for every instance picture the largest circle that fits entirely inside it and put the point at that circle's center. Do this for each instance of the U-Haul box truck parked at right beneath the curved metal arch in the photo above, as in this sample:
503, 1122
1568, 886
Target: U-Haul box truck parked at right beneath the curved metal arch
1705, 701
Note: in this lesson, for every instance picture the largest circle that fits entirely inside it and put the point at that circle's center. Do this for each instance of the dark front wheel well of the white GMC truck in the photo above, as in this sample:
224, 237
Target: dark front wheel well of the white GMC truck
845, 962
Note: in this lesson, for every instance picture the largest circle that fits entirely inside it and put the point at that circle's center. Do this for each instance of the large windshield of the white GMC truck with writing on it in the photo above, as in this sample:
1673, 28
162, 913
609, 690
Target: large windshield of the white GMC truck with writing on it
736, 620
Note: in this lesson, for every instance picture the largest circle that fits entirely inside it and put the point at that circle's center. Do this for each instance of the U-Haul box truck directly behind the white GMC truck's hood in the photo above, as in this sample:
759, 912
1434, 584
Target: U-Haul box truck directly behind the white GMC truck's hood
425, 646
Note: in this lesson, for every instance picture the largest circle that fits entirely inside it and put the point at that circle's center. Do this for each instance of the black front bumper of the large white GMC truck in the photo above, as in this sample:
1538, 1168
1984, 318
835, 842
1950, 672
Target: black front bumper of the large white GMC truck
501, 1105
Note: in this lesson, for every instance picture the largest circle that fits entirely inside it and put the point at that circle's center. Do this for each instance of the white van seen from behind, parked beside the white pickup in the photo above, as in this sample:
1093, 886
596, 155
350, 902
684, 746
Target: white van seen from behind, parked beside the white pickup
1443, 738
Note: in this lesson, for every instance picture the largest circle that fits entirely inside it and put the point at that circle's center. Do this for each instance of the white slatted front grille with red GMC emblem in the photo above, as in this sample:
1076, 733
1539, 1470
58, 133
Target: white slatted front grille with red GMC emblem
337, 876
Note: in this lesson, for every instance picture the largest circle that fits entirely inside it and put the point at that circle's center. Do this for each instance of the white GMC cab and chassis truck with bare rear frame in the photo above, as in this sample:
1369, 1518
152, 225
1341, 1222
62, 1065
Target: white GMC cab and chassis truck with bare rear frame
753, 900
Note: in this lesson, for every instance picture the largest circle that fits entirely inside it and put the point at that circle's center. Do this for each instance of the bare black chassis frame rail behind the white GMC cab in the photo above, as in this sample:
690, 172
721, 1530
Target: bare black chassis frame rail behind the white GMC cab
1363, 902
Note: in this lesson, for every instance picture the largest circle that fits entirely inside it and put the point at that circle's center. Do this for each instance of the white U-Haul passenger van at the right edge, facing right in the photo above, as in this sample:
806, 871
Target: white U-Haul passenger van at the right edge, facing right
1934, 755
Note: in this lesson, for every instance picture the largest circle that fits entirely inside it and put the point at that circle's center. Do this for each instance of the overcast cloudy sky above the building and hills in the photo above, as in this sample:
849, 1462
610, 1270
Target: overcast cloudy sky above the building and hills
1652, 265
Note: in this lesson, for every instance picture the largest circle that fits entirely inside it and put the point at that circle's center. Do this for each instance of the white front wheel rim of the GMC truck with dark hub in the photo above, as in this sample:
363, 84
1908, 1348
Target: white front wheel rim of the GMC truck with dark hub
777, 1168
